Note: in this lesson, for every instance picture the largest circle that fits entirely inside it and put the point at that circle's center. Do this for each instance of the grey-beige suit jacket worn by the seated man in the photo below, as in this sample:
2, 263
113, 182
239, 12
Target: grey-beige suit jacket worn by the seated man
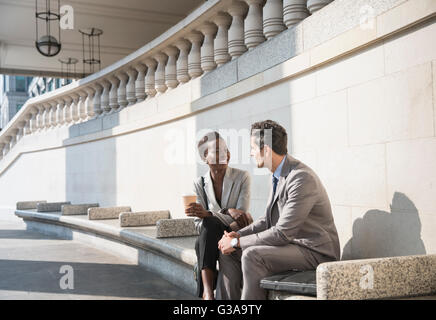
300, 213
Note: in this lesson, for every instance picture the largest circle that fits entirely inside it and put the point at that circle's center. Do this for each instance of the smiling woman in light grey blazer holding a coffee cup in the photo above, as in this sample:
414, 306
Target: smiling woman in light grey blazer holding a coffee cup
221, 190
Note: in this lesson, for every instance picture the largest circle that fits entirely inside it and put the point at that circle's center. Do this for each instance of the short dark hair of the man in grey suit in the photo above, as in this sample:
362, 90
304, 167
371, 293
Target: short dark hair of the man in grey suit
272, 134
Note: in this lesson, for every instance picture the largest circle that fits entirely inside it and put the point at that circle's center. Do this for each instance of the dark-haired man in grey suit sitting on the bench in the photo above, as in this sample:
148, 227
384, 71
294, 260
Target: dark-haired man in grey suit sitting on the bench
297, 231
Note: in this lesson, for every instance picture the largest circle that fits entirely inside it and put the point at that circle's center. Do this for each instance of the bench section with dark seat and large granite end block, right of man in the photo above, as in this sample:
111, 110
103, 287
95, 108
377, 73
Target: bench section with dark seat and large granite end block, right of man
378, 278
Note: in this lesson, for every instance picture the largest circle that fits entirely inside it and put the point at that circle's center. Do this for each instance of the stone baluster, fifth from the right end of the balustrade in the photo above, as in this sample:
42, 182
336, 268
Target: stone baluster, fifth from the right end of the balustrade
237, 10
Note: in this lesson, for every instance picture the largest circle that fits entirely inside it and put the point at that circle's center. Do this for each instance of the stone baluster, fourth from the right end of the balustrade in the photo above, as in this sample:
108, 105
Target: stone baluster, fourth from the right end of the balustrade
253, 25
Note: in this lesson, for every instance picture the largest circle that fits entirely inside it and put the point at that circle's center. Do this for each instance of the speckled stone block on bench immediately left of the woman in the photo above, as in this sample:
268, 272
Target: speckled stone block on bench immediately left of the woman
167, 228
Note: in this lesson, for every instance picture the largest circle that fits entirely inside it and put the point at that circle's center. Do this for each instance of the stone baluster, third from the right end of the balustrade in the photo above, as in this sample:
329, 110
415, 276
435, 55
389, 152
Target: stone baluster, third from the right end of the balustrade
273, 18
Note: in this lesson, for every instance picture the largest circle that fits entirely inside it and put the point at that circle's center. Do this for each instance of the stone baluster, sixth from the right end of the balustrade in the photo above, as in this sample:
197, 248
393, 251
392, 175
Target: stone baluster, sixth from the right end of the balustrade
221, 45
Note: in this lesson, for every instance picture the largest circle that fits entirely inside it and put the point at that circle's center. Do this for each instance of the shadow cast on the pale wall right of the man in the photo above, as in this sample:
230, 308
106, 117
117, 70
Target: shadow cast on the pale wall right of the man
386, 234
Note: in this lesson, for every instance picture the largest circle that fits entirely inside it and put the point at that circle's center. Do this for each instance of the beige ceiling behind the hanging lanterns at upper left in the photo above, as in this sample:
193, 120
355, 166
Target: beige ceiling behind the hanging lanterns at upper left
127, 25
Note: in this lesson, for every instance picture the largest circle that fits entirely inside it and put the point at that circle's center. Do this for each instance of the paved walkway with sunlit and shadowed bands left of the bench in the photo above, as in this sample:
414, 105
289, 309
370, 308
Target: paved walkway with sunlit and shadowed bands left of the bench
30, 265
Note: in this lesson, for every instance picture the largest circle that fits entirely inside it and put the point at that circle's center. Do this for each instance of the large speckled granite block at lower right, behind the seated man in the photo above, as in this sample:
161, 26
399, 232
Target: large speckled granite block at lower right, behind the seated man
379, 278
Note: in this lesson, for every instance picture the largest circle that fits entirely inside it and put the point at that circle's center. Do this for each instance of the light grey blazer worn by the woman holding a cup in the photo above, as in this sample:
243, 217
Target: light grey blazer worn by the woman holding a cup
236, 194
